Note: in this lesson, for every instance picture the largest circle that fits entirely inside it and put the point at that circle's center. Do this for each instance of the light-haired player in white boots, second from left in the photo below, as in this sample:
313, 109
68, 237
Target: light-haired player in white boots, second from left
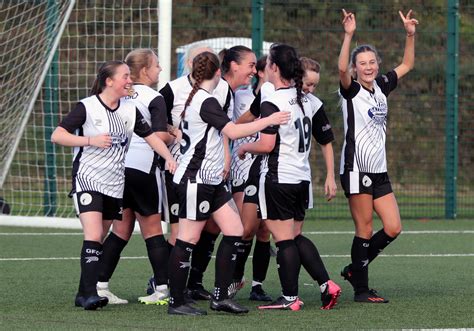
142, 195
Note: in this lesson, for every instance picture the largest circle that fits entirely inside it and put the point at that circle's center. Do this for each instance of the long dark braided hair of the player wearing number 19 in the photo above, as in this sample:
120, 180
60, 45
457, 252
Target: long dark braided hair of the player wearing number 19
287, 60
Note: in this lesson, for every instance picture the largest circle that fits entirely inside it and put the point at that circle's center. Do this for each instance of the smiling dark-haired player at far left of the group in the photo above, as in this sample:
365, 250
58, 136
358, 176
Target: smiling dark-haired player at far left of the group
100, 128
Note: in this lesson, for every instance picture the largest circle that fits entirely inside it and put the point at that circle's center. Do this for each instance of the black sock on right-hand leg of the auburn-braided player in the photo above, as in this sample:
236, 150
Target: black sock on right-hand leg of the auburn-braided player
225, 264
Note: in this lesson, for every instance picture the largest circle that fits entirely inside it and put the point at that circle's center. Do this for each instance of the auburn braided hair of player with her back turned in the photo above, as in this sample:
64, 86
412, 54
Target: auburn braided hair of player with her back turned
205, 65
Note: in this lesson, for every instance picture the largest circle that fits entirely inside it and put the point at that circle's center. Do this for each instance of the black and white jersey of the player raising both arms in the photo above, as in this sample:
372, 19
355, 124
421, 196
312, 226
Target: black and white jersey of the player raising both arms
365, 124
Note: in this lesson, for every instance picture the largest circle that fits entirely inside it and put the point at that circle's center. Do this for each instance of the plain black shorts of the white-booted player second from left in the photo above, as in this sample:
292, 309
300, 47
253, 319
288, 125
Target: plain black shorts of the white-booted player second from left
142, 191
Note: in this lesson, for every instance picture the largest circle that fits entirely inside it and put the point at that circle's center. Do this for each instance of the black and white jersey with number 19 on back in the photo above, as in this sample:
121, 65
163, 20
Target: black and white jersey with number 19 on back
288, 162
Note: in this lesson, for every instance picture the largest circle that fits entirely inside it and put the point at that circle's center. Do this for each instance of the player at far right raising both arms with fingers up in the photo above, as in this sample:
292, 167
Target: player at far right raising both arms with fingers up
363, 168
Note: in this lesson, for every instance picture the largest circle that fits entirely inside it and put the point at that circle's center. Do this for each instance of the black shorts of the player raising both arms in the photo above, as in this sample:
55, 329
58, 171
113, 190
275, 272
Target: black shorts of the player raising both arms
376, 185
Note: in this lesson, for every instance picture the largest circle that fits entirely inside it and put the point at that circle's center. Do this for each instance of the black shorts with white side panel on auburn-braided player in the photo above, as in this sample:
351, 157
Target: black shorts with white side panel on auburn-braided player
198, 201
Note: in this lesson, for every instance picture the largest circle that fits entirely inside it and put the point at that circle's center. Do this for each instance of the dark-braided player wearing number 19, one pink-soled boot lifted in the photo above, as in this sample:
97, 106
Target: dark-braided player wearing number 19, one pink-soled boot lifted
284, 185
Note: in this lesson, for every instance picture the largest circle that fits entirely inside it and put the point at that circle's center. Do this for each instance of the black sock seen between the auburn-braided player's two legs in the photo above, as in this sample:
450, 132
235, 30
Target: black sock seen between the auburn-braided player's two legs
201, 257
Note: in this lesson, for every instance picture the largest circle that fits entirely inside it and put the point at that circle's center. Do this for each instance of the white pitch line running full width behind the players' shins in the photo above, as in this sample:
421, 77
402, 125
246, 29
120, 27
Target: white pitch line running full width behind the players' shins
325, 256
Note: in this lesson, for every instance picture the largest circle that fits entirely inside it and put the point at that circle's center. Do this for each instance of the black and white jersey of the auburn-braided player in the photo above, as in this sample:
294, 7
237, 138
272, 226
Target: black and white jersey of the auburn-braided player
202, 147
